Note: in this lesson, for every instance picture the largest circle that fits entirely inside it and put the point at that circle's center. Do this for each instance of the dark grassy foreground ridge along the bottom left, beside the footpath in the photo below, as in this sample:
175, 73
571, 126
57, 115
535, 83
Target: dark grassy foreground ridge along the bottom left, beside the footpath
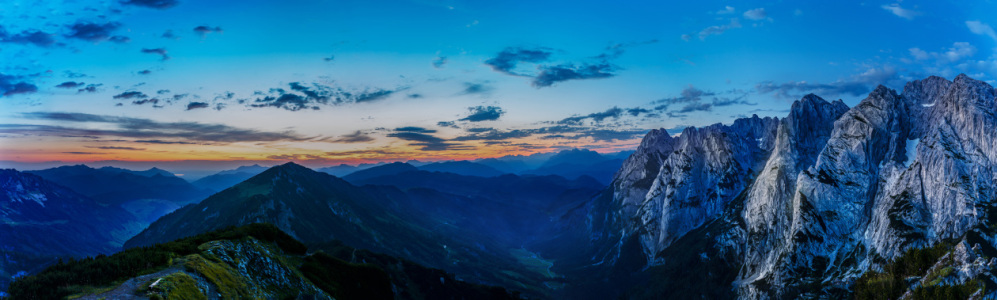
329, 272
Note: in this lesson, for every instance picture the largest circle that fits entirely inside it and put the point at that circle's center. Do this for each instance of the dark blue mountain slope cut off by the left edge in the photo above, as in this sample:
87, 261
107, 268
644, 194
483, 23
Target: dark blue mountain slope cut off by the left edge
40, 220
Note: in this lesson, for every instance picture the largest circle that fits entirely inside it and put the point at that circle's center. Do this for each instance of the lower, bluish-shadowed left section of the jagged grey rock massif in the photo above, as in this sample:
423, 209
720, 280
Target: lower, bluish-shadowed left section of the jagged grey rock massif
673, 185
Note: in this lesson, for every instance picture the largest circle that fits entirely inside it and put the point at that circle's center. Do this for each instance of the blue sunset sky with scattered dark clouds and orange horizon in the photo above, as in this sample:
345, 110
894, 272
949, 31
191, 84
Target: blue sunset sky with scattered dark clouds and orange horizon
329, 82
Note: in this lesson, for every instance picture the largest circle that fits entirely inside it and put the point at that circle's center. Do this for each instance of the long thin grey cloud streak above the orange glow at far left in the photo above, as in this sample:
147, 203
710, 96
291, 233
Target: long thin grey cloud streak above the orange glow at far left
145, 129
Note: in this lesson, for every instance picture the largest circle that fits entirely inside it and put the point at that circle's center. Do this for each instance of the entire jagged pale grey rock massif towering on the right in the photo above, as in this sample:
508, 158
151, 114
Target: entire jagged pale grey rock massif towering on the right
827, 192
